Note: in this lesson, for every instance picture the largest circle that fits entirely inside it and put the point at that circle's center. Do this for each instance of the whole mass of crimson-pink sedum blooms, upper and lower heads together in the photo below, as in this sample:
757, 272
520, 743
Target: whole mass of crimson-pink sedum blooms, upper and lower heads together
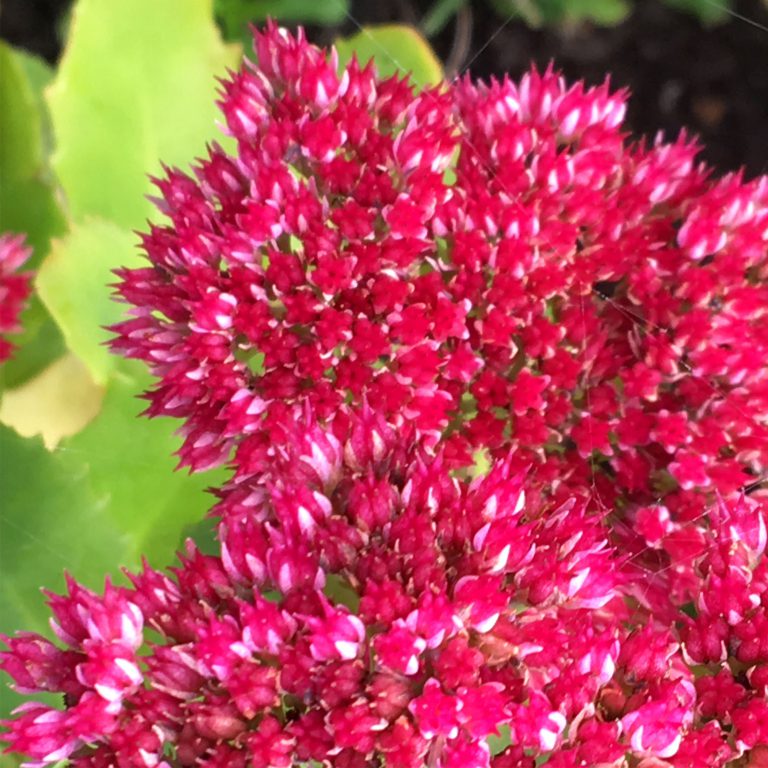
492, 383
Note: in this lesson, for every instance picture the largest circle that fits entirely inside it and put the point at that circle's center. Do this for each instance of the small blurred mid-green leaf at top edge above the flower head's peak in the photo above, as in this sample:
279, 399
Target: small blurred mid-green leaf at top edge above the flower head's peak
235, 15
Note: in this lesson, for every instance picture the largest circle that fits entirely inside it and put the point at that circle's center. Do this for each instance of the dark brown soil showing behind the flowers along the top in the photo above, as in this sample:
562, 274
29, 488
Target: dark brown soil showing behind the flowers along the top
712, 80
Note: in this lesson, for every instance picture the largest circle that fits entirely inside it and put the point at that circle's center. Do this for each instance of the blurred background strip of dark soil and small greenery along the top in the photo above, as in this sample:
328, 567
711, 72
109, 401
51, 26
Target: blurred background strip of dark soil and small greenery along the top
696, 63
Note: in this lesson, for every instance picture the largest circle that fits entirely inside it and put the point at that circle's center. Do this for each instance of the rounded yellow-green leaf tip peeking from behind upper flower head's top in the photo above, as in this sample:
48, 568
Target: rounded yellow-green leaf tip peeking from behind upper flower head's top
395, 48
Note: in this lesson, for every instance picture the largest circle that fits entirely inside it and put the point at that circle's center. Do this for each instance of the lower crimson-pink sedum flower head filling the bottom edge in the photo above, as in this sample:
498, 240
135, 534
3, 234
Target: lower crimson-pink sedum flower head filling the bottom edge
369, 605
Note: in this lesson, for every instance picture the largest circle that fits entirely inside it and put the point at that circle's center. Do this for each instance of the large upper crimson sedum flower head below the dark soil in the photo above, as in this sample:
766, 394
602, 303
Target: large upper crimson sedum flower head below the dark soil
489, 266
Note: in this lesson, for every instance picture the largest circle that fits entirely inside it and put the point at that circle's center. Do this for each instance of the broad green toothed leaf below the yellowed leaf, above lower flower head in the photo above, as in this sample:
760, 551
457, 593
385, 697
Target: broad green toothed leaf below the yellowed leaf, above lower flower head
100, 501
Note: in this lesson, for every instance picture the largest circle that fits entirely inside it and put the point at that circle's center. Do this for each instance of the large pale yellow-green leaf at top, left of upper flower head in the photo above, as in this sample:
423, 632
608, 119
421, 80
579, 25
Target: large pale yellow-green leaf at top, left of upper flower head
135, 87
